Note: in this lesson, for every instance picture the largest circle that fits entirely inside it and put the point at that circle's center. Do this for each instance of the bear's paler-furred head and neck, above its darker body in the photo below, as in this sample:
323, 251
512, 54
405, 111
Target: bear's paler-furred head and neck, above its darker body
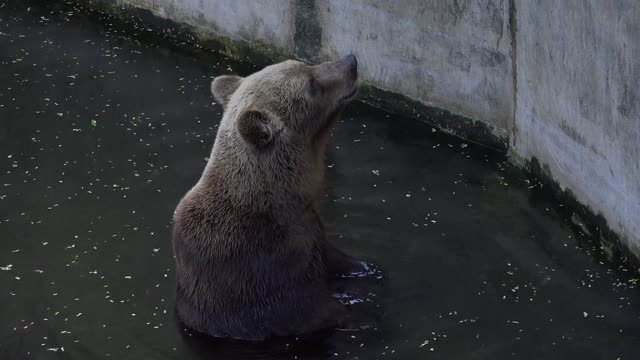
275, 128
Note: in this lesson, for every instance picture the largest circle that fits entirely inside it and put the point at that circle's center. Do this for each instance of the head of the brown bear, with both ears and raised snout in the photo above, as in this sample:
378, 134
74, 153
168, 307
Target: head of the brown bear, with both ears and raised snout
286, 105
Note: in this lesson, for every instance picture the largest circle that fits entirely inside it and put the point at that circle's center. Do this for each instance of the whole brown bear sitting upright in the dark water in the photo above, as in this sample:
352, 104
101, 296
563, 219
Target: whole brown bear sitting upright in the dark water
252, 258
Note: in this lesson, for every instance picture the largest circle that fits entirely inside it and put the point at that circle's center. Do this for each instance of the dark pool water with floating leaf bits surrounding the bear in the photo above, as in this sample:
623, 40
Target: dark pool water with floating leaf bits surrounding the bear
478, 264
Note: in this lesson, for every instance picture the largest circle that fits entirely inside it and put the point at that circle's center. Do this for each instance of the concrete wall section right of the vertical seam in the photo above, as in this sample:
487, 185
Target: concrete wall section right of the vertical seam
578, 102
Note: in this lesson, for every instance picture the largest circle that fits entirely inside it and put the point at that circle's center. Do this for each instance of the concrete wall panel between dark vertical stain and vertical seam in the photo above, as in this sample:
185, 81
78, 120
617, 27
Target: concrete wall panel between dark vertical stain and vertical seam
448, 54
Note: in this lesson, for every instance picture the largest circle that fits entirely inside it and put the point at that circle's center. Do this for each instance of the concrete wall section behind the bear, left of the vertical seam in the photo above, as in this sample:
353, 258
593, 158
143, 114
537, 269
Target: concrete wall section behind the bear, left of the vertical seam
452, 55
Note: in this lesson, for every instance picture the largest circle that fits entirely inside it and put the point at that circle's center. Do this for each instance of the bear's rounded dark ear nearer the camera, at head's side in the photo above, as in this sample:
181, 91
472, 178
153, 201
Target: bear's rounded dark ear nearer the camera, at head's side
257, 128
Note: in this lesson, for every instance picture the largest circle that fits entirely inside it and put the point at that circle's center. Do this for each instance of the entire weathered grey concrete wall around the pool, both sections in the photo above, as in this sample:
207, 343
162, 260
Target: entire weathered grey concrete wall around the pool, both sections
558, 80
